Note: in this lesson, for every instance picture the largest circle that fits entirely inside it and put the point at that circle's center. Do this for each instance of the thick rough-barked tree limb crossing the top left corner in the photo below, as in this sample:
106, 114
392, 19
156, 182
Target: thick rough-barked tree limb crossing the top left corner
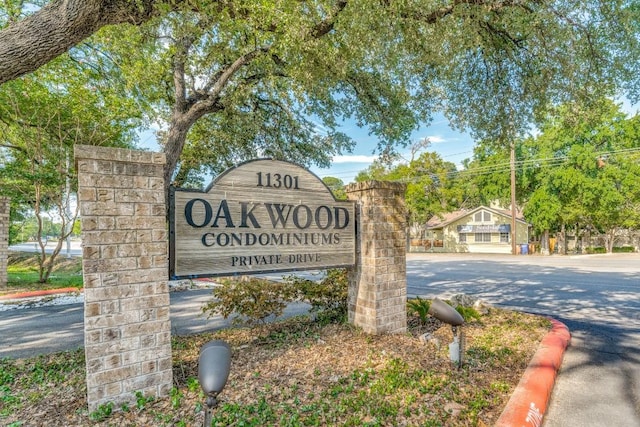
32, 42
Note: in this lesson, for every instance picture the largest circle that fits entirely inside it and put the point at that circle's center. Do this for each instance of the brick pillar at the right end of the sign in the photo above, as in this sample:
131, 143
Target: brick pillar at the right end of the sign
378, 282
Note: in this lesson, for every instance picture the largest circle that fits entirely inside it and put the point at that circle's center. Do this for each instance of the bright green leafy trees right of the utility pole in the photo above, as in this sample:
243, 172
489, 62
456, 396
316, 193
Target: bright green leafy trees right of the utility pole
590, 174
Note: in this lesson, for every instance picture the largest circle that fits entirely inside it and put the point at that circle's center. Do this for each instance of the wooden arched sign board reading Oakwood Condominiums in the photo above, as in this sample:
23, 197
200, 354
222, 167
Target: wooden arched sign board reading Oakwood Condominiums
261, 216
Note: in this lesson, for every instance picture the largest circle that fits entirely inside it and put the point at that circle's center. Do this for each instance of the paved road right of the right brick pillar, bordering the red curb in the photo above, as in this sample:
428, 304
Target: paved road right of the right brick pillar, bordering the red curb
597, 297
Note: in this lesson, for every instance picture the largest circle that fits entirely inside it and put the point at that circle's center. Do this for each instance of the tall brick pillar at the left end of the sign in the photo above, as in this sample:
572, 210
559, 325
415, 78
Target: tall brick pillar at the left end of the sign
124, 235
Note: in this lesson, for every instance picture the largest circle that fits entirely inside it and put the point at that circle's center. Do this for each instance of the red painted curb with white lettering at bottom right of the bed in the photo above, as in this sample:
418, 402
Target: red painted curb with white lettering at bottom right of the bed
529, 401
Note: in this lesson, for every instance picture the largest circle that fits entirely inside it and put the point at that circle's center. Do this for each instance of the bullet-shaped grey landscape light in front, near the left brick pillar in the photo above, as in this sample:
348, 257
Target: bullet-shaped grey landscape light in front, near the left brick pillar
214, 365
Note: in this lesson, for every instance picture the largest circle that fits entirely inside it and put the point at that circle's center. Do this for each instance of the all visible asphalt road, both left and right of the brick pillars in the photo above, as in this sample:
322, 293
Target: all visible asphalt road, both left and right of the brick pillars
597, 297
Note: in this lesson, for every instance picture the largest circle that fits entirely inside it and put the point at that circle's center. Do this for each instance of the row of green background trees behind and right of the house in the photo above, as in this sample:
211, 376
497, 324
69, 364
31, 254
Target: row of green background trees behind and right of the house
579, 173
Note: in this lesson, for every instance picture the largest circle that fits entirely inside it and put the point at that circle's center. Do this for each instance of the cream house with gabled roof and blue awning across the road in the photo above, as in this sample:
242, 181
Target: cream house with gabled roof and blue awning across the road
481, 230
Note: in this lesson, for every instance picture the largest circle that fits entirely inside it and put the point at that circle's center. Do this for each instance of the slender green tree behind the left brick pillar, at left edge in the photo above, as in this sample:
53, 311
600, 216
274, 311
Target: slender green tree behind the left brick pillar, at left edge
41, 117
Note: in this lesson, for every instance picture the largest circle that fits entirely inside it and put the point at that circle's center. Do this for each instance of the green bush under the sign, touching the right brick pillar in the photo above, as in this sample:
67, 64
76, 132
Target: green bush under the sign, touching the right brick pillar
327, 297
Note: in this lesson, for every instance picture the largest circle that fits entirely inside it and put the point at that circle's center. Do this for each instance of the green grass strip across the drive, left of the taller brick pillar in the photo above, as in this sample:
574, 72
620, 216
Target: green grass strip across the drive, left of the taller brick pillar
22, 273
